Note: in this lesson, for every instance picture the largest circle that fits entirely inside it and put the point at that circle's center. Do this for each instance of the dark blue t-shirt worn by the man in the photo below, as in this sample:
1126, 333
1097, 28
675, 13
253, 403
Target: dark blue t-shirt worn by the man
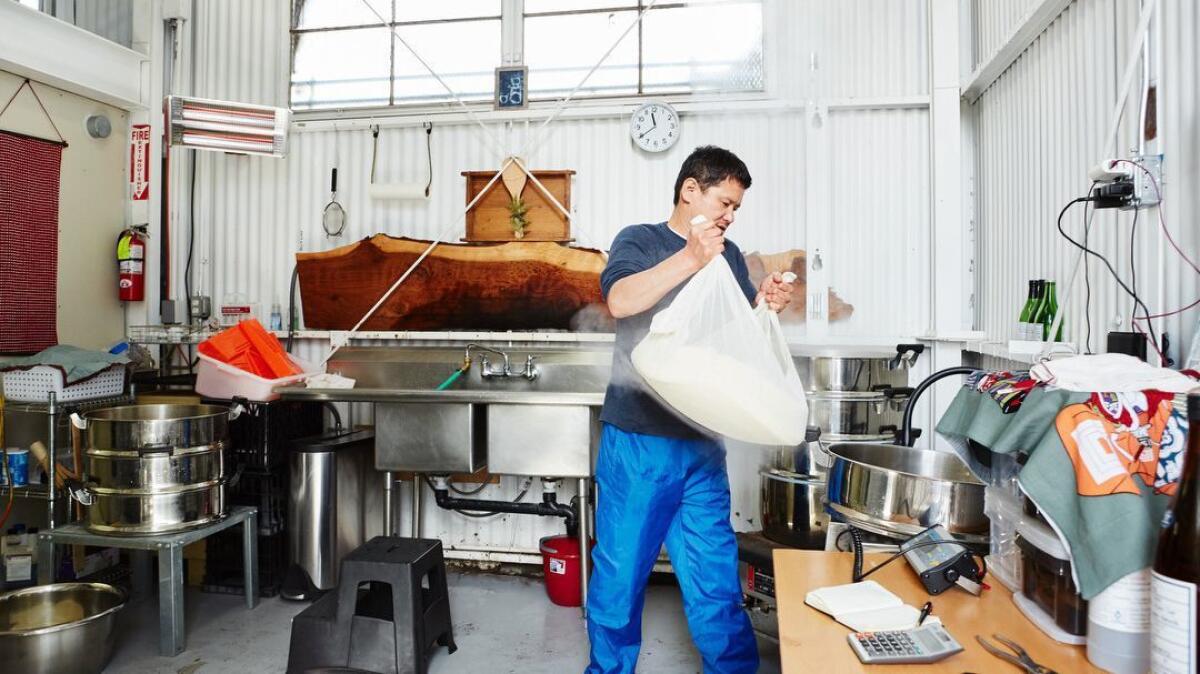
628, 404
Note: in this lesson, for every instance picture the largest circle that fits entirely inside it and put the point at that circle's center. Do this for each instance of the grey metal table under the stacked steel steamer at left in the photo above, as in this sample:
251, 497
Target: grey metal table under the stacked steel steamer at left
171, 564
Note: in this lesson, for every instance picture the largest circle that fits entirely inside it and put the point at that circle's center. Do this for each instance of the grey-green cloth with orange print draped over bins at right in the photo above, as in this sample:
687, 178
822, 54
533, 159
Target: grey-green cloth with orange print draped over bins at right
1101, 489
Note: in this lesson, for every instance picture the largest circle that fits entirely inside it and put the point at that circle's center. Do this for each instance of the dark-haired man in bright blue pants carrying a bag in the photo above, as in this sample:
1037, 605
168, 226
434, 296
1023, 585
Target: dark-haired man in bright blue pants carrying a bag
661, 479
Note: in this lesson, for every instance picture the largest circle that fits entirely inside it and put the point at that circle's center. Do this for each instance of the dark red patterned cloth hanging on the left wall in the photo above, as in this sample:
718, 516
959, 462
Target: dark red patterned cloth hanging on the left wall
29, 243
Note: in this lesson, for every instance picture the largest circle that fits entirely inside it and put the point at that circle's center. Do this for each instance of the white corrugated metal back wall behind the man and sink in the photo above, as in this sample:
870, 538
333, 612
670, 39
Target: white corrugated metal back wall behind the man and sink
862, 64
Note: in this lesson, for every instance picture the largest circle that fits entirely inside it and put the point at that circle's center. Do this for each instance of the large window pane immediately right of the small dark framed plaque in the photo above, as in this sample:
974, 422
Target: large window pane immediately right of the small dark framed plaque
560, 51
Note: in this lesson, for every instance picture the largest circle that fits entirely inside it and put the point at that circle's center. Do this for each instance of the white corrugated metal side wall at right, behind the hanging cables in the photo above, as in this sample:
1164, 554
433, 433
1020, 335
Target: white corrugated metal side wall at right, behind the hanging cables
1041, 127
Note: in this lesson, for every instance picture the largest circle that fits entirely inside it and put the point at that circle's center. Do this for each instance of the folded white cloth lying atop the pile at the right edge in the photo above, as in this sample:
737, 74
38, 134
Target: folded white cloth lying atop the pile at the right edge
1111, 372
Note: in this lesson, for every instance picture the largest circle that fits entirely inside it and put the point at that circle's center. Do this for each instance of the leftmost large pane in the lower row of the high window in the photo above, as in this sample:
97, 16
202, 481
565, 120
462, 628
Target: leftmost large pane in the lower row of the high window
341, 69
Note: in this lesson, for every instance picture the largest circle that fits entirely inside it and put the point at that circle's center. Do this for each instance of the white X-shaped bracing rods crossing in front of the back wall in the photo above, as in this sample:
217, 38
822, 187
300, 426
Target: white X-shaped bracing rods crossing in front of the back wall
344, 339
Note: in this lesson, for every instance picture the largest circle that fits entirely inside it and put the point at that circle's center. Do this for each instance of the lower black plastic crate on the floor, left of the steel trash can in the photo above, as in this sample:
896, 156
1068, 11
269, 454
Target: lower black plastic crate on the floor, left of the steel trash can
224, 567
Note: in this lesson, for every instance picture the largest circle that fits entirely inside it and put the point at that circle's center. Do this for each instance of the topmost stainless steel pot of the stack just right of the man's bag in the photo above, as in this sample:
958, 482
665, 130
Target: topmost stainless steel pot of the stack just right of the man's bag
855, 369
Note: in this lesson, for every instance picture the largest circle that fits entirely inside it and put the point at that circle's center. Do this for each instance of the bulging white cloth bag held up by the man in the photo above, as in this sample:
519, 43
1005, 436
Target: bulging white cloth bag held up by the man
724, 365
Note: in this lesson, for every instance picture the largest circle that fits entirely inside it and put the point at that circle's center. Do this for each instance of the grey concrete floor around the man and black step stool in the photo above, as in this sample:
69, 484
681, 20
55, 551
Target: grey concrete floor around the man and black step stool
503, 624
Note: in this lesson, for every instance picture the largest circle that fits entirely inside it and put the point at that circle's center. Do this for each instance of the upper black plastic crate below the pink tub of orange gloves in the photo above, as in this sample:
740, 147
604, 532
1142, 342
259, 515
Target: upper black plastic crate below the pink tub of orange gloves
260, 437
